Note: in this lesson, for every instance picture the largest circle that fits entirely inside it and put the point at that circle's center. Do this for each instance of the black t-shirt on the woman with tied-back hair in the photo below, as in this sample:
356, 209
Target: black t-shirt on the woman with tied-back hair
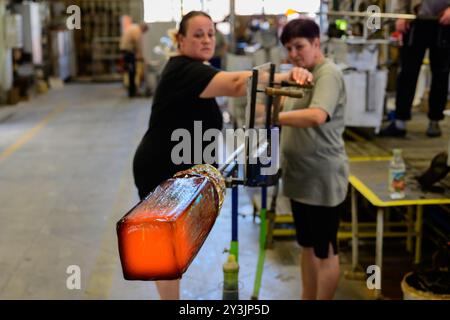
176, 105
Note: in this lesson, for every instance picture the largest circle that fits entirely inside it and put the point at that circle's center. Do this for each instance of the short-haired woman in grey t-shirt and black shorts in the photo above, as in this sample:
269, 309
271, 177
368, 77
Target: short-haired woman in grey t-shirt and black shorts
314, 161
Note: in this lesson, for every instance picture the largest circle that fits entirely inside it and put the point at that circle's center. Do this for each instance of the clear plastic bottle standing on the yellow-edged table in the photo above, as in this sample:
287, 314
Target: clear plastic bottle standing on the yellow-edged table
397, 172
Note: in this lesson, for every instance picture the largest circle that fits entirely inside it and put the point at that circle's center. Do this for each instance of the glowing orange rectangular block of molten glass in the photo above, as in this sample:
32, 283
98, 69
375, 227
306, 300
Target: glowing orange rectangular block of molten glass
161, 235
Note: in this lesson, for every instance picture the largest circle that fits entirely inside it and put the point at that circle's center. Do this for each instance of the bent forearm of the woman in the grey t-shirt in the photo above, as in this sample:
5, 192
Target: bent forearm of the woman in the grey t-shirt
304, 118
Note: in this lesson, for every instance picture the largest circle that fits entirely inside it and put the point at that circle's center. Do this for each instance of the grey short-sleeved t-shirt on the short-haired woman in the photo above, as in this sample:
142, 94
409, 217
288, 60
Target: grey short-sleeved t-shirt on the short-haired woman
314, 162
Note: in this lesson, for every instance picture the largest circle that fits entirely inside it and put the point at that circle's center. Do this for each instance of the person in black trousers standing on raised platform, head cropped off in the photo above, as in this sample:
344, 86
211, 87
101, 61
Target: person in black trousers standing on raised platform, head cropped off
418, 36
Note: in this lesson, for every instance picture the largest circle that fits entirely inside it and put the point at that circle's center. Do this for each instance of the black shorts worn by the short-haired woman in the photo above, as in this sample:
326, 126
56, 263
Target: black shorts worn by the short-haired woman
317, 226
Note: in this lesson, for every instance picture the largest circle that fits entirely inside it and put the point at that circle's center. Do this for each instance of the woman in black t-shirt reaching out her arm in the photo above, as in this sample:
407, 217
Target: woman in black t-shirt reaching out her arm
185, 94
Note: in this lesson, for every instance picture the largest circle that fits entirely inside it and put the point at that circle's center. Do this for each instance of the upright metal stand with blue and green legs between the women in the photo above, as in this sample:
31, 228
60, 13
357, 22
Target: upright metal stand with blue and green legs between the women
260, 166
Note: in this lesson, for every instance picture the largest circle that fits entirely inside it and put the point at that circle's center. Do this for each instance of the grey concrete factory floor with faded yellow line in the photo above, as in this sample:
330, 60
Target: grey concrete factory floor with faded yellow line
66, 179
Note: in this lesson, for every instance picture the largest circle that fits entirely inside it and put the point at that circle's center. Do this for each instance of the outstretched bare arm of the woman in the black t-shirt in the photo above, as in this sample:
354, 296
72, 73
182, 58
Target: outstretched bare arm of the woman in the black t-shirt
230, 84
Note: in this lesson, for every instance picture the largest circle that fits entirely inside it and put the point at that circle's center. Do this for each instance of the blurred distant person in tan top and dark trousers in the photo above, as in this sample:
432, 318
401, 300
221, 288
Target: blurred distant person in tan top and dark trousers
131, 48
